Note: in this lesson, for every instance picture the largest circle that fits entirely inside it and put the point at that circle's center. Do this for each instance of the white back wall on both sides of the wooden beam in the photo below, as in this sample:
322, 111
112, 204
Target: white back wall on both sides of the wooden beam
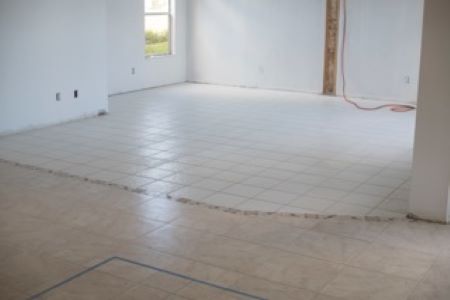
280, 44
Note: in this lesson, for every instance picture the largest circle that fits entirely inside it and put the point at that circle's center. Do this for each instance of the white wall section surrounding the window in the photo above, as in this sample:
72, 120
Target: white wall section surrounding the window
126, 49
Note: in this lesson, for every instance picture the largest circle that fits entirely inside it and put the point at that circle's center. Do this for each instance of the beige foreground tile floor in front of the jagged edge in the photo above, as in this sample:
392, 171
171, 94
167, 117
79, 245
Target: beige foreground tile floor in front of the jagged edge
52, 227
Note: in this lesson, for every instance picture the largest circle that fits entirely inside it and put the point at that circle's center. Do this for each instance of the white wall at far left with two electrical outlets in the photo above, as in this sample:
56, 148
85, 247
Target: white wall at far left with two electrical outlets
51, 46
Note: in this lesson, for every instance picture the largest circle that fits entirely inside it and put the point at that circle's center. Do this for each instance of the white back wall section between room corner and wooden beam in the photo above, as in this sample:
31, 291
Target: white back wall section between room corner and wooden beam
257, 43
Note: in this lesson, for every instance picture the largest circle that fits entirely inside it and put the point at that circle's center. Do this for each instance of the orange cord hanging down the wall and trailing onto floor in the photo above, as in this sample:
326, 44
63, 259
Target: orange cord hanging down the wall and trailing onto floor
393, 107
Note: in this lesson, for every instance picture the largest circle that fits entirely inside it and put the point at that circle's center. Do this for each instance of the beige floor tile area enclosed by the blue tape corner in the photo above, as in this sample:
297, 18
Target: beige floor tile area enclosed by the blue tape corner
134, 280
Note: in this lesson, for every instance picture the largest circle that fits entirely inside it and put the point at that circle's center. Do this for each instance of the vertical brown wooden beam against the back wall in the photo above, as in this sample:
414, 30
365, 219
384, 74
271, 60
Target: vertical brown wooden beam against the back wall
331, 47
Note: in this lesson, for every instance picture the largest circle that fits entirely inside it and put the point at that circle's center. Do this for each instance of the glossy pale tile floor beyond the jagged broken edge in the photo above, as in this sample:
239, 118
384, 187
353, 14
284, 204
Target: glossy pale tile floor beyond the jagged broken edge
240, 148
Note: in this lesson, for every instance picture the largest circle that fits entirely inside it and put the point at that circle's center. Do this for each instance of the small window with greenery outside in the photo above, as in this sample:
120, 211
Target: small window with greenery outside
158, 27
